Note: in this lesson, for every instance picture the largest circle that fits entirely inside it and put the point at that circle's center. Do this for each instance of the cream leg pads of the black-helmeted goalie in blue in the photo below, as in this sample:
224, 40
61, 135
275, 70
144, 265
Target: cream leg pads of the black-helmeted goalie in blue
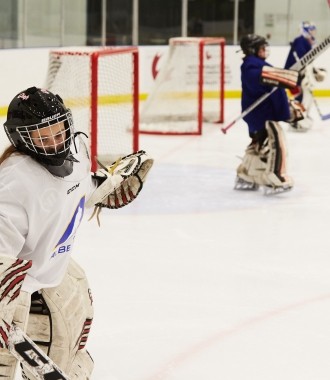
265, 165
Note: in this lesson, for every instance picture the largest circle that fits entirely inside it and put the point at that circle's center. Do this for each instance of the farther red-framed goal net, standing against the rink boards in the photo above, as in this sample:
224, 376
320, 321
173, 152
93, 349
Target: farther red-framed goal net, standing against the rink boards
188, 90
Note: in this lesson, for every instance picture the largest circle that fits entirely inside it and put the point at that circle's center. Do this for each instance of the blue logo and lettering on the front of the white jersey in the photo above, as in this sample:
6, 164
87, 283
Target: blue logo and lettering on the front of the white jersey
65, 242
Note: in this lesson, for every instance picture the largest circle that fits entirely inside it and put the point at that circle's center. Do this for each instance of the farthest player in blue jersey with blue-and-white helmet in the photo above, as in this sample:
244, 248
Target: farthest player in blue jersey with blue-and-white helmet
303, 91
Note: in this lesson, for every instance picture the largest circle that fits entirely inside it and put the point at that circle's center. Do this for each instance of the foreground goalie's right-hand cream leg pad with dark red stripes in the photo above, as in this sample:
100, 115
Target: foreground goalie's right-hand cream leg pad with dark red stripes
63, 333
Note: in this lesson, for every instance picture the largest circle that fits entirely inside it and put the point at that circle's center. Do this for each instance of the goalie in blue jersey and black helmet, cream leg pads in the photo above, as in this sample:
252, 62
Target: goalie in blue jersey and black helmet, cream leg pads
264, 162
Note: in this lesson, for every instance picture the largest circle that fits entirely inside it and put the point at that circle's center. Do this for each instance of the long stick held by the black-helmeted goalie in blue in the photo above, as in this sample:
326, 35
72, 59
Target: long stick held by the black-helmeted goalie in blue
298, 66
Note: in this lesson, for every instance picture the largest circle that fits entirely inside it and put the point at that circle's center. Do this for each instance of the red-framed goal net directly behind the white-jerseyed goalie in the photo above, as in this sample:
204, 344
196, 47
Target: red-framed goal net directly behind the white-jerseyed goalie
100, 86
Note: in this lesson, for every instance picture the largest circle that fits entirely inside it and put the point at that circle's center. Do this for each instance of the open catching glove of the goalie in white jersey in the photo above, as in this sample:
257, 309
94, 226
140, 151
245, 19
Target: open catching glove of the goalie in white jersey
121, 182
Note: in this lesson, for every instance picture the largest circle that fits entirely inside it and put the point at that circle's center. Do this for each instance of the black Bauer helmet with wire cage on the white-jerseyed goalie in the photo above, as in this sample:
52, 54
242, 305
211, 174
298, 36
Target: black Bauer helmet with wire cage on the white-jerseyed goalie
39, 124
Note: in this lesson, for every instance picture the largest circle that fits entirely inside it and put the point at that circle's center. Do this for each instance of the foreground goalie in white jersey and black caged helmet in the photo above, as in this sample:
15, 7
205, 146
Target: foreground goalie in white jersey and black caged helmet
46, 184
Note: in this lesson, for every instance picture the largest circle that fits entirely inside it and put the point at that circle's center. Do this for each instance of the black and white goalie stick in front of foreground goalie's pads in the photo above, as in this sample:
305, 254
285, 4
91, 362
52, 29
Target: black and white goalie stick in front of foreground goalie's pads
32, 357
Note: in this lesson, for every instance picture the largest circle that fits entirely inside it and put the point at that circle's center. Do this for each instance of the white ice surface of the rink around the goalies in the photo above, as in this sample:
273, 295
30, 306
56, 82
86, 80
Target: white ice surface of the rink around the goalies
197, 281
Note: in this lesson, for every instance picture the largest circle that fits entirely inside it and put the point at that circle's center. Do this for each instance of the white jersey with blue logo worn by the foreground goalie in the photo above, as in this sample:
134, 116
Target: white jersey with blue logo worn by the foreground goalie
40, 214
